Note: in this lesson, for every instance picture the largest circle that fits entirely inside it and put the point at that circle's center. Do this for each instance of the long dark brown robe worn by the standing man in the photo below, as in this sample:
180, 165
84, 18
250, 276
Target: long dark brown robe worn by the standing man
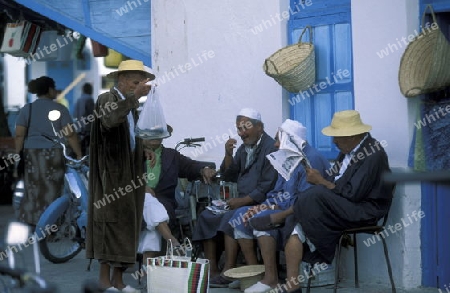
116, 187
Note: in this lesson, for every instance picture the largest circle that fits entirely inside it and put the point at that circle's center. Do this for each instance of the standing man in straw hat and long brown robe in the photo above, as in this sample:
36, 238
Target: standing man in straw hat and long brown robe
116, 163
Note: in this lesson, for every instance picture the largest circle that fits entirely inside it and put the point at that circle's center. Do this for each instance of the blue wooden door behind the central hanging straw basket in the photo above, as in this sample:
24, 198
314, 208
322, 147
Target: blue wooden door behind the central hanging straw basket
333, 90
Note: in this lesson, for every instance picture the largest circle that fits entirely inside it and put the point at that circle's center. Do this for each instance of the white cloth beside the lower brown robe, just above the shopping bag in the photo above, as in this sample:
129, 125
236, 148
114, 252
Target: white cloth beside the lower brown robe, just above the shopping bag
154, 214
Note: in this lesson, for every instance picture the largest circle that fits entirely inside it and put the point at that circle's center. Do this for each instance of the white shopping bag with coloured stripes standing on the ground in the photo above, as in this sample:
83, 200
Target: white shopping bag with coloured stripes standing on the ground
190, 275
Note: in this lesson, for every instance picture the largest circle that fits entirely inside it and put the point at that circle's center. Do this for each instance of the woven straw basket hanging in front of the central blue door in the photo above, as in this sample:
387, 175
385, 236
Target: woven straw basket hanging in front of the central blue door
293, 67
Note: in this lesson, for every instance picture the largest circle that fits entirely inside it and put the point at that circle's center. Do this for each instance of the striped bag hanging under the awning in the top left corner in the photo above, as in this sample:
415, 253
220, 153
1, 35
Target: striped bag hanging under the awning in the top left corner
20, 39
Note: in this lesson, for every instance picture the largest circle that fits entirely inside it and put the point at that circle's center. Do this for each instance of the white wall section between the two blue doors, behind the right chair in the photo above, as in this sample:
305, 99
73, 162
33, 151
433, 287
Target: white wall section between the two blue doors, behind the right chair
375, 25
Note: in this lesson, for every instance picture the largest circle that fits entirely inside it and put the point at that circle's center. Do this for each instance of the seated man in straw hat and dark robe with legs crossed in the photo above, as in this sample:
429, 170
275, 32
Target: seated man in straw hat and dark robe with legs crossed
356, 196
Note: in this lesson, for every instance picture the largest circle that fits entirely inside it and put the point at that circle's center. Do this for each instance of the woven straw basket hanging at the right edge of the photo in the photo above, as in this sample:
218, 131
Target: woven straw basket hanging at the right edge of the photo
425, 65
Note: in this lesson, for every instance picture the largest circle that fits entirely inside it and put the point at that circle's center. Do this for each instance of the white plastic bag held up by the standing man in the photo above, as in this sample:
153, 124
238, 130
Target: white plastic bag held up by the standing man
151, 123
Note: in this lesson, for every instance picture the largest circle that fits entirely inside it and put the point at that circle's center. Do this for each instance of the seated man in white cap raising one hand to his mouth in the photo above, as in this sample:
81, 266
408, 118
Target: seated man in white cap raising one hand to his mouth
254, 175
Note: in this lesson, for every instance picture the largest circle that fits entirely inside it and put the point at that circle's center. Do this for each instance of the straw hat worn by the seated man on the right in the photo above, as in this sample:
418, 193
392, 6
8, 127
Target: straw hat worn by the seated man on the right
346, 123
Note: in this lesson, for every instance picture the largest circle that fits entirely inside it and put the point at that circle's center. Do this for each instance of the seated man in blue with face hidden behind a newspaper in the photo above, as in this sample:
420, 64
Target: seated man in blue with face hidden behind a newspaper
290, 160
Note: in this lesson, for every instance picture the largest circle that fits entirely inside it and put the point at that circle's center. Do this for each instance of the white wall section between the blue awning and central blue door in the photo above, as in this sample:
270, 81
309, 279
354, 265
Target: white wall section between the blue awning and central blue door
204, 100
